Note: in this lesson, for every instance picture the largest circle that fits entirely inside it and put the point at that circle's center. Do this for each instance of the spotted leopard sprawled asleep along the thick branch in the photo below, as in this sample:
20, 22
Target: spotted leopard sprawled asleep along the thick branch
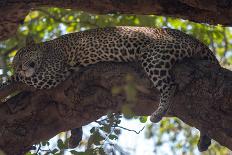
45, 65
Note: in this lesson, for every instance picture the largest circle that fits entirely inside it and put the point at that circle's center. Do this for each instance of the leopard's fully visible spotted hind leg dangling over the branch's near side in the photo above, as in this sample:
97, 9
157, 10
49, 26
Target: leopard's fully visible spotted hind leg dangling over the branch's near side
157, 65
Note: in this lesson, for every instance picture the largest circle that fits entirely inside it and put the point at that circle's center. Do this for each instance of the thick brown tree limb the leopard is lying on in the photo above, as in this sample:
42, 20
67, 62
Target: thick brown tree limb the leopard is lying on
203, 101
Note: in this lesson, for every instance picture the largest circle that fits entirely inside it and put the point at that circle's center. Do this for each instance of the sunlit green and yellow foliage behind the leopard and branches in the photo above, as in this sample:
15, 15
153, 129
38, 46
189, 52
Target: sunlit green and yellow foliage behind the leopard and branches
48, 23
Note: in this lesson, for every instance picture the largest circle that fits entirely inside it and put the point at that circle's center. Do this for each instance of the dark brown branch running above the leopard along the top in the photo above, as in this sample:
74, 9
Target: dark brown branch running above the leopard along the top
13, 12
